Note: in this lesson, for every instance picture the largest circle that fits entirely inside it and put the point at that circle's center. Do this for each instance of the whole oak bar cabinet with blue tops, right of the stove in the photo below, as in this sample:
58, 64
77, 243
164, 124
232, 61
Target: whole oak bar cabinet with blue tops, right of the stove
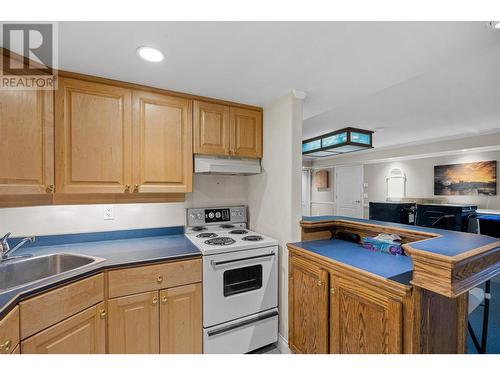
340, 302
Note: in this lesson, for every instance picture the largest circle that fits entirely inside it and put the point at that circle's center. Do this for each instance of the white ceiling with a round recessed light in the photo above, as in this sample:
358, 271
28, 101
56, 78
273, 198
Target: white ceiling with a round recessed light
419, 80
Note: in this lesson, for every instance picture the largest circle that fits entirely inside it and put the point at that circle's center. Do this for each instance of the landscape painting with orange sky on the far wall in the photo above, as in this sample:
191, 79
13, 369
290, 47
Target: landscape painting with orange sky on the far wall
479, 178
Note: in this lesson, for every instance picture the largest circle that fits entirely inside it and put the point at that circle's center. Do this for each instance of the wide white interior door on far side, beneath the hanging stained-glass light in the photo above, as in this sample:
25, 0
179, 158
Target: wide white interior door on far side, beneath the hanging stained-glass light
349, 188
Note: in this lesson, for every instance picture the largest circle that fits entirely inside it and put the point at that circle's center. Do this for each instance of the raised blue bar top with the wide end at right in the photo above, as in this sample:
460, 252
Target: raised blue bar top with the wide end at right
448, 243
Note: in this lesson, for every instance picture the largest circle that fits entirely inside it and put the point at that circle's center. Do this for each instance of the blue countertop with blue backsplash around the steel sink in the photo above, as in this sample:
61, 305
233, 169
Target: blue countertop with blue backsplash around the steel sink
134, 248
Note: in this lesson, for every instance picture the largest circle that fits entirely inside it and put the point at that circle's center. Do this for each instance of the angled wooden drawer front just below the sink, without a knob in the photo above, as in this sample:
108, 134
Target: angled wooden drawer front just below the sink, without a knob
52, 307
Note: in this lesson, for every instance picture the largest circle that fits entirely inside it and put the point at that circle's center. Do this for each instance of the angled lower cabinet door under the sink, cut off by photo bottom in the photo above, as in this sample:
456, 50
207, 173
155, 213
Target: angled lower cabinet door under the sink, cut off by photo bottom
83, 333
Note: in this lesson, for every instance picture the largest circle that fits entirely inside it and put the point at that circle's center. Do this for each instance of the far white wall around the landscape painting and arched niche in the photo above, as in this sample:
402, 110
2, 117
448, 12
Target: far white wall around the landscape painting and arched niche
420, 178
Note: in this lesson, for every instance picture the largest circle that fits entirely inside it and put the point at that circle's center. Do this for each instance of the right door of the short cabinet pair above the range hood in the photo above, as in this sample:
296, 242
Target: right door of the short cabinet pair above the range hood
246, 132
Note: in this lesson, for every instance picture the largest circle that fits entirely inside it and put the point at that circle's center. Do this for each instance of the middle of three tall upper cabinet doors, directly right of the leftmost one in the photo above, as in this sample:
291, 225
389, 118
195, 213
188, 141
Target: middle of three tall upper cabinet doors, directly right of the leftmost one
93, 137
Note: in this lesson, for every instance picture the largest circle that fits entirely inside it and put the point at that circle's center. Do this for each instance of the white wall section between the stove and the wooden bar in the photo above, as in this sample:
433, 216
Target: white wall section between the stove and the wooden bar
275, 195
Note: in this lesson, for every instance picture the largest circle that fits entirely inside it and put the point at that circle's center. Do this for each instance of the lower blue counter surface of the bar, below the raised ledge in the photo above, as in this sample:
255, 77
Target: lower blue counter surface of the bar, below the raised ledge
397, 268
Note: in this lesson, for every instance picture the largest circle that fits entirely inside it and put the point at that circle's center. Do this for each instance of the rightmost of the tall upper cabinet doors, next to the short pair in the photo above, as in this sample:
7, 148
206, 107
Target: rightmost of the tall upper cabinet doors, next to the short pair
162, 149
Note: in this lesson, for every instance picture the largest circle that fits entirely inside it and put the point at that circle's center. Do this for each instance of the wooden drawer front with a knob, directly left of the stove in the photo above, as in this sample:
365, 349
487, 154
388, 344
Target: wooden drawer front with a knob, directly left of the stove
158, 276
